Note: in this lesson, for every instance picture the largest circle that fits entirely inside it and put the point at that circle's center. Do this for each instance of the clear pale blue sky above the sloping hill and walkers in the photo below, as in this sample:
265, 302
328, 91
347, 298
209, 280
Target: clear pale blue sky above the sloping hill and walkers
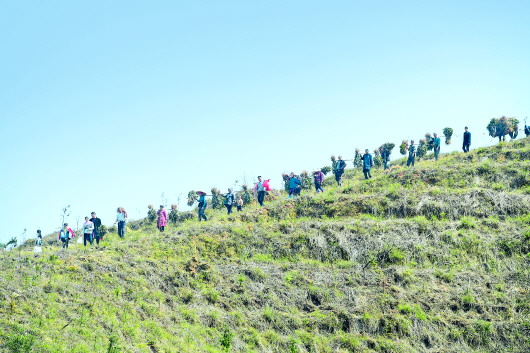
112, 103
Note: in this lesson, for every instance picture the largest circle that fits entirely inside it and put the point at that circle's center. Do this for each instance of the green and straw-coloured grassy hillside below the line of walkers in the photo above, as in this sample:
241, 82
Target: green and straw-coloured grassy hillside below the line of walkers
433, 258
